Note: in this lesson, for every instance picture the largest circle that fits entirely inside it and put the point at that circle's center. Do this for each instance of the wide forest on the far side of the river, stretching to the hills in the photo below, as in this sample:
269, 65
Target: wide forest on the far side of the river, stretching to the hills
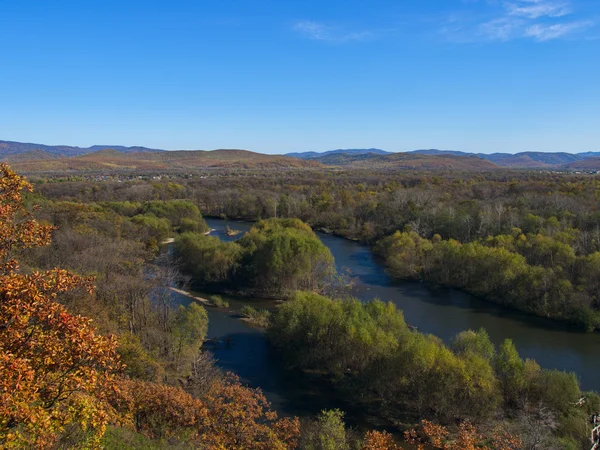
537, 232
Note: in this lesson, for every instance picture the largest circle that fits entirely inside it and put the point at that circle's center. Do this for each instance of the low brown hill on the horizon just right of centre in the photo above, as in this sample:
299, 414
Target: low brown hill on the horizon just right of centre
409, 161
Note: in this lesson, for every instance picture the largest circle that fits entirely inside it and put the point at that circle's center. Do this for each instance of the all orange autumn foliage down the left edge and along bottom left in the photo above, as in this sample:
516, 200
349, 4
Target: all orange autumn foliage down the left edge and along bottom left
56, 371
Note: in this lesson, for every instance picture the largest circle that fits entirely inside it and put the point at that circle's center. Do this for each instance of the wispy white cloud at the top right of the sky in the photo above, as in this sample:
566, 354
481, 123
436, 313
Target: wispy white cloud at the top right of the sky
540, 20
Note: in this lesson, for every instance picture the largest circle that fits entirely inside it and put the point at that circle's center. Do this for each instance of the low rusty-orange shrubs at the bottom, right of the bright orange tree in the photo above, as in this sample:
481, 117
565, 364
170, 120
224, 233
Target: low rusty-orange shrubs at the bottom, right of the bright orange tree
230, 417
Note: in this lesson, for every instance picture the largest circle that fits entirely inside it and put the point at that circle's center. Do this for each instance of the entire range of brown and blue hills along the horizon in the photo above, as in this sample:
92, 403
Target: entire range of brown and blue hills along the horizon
28, 158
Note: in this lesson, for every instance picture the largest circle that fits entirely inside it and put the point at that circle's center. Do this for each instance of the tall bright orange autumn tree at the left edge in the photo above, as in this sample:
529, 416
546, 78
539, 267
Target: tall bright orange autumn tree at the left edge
54, 368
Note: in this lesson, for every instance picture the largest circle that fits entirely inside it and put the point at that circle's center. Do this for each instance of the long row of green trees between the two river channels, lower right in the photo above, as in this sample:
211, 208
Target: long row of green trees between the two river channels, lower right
369, 354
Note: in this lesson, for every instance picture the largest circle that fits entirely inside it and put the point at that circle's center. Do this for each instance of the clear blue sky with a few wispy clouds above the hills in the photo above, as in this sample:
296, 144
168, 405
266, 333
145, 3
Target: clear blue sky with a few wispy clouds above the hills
278, 76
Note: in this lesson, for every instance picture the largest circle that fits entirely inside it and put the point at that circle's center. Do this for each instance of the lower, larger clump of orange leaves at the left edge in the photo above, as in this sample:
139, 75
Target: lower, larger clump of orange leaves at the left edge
63, 365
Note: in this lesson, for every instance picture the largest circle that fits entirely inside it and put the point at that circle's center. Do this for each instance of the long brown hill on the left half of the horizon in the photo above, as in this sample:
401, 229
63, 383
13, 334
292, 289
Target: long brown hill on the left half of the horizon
111, 160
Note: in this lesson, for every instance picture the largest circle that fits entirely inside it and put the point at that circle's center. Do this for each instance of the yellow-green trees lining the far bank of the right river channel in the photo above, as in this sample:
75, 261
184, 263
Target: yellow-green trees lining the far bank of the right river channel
534, 273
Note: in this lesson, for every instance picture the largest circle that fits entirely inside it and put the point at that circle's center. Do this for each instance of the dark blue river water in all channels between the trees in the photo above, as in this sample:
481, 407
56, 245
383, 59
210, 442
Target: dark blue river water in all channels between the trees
439, 311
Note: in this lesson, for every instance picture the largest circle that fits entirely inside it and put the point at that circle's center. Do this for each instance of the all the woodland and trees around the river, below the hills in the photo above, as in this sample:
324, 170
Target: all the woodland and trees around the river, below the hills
527, 240
